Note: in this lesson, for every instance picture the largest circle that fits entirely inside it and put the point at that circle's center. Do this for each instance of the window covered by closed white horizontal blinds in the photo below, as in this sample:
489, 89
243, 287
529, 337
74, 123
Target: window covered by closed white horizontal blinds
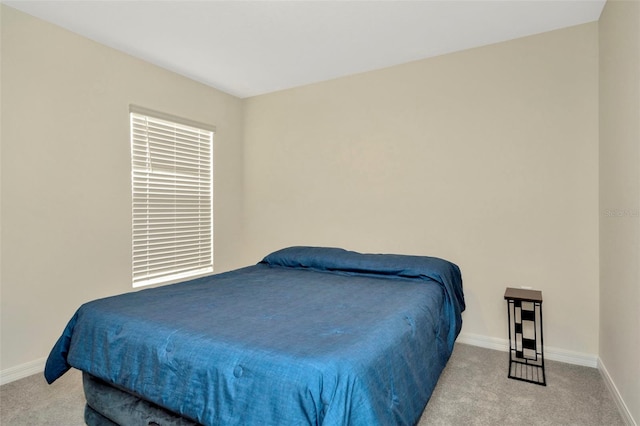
172, 188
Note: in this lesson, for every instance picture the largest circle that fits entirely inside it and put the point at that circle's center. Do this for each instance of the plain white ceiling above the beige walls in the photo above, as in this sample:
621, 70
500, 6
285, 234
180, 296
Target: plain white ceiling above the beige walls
247, 48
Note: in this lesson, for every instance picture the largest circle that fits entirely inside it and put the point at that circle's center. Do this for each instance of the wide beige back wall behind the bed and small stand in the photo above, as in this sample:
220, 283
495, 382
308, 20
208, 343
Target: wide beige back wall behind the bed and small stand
487, 157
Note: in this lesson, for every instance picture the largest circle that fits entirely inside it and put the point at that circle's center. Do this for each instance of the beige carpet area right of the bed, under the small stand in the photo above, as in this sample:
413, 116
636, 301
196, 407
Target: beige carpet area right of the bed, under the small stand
474, 390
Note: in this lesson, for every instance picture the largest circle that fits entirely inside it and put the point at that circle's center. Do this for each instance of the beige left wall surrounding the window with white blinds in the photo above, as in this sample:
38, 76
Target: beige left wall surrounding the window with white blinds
66, 205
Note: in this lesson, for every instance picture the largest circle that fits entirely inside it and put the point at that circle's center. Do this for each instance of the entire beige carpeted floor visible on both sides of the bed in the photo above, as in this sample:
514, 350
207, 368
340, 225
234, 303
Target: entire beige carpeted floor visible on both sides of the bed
473, 390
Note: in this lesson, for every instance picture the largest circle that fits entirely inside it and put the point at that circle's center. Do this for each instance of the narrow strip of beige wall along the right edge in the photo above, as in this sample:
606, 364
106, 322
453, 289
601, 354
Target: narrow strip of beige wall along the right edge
619, 30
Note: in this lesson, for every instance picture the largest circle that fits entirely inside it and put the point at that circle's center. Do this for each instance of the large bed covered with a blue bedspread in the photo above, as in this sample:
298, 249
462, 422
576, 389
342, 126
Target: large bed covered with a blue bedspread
309, 335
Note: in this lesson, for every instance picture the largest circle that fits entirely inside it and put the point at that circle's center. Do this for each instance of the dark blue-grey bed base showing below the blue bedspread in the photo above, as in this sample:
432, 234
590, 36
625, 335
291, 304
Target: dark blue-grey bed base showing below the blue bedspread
110, 406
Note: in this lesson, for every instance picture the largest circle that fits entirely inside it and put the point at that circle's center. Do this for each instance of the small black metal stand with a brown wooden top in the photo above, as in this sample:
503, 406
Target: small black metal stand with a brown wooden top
526, 351
